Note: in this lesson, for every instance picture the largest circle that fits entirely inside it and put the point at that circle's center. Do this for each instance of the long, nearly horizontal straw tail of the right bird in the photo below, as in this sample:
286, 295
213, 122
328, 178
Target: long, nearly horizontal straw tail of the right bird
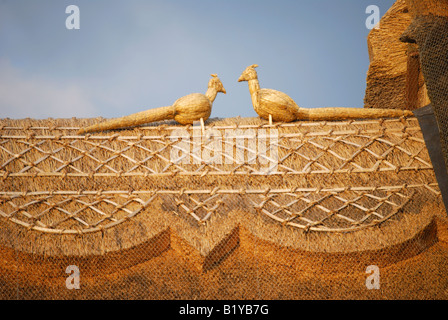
349, 113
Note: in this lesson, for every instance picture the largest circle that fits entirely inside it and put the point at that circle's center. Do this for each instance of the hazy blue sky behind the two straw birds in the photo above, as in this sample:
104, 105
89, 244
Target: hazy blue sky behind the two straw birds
133, 55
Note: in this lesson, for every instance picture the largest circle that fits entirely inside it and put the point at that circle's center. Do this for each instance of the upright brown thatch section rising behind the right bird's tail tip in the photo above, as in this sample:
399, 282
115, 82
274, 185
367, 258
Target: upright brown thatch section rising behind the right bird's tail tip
394, 78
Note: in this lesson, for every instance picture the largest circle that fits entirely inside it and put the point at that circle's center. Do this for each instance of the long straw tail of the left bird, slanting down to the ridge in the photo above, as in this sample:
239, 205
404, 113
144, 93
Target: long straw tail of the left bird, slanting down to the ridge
135, 119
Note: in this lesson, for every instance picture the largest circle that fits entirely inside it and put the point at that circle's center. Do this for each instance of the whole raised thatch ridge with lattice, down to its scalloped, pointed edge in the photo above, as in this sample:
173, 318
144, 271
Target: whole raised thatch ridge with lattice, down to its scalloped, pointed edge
379, 170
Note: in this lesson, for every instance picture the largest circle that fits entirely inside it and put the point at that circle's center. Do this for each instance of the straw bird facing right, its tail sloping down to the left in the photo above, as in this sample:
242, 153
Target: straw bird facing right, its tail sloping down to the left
185, 110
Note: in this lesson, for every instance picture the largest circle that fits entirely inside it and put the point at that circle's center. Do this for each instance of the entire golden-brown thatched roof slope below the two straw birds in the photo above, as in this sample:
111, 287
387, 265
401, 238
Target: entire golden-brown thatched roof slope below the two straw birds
342, 195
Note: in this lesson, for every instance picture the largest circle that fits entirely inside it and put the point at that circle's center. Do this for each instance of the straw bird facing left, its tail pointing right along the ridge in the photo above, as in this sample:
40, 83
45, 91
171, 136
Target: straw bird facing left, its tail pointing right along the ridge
274, 105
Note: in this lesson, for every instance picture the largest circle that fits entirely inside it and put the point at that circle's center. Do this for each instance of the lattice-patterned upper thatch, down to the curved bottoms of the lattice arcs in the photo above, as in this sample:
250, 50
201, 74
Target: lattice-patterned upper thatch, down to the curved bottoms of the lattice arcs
335, 176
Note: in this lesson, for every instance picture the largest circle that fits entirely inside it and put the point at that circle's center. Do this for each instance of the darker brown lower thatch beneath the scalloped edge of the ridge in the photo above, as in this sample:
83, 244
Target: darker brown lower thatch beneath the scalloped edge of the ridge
257, 269
